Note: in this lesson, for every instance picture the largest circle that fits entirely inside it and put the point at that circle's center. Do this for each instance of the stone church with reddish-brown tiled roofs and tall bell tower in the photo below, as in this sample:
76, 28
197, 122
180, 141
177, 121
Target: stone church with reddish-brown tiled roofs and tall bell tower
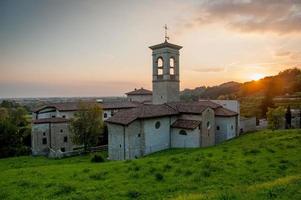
166, 122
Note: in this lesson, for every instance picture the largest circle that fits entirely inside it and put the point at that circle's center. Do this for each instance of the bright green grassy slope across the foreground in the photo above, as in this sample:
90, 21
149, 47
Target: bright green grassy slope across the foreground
262, 165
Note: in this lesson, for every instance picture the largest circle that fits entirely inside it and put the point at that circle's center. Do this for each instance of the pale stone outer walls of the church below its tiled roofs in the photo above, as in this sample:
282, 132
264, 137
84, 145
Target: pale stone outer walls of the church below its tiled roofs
145, 136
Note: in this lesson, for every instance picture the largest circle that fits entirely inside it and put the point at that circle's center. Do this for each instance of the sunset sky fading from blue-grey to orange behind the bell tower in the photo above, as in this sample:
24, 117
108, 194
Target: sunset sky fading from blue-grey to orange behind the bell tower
68, 48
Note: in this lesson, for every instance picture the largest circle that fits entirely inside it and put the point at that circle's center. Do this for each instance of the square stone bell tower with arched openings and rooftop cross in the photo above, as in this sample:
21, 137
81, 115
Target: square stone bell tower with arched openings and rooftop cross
166, 77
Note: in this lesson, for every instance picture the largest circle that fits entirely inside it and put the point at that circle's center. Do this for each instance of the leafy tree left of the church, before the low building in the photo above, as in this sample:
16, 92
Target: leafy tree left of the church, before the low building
87, 125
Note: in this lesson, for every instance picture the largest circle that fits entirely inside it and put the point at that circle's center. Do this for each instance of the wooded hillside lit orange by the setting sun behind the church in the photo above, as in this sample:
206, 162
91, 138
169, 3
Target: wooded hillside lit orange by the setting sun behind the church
251, 94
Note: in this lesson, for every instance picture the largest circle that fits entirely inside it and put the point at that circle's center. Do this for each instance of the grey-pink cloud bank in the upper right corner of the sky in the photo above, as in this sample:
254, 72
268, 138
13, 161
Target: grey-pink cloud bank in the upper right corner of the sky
278, 16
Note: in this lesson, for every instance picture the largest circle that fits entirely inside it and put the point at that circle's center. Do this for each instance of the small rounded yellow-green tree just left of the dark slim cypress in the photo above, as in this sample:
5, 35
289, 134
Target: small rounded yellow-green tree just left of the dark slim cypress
275, 117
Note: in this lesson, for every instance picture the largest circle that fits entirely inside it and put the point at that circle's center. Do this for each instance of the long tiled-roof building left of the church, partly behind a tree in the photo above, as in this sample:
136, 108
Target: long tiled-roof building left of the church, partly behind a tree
50, 125
